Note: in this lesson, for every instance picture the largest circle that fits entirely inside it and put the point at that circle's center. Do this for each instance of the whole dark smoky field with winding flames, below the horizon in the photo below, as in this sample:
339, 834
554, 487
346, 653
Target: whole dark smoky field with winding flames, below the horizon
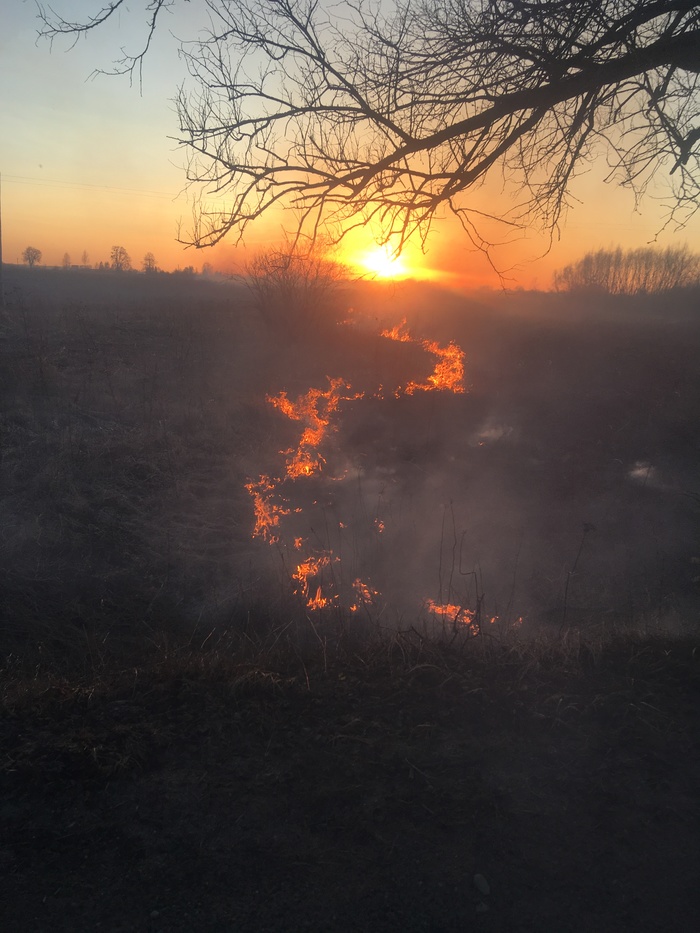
462, 645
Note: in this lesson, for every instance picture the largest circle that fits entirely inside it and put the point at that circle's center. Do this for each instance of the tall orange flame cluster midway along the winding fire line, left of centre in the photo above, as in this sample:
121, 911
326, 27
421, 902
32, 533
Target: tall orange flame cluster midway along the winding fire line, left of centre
314, 410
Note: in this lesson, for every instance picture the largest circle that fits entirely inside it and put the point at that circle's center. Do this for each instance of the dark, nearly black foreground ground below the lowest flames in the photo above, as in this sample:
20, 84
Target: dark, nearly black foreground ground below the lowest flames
201, 796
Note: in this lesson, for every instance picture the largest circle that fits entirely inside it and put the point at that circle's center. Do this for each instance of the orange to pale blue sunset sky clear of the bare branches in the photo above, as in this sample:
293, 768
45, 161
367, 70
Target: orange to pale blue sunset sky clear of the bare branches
88, 163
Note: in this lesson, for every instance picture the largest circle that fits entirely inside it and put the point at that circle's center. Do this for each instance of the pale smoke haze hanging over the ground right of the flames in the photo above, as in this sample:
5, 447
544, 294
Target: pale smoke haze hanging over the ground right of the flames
425, 497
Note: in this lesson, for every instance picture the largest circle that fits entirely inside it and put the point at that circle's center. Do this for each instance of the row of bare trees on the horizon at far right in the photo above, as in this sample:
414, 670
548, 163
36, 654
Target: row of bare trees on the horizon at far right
631, 272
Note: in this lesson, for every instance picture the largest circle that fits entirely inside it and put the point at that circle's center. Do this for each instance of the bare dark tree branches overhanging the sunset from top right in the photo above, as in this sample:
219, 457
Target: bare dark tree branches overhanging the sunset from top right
399, 110
